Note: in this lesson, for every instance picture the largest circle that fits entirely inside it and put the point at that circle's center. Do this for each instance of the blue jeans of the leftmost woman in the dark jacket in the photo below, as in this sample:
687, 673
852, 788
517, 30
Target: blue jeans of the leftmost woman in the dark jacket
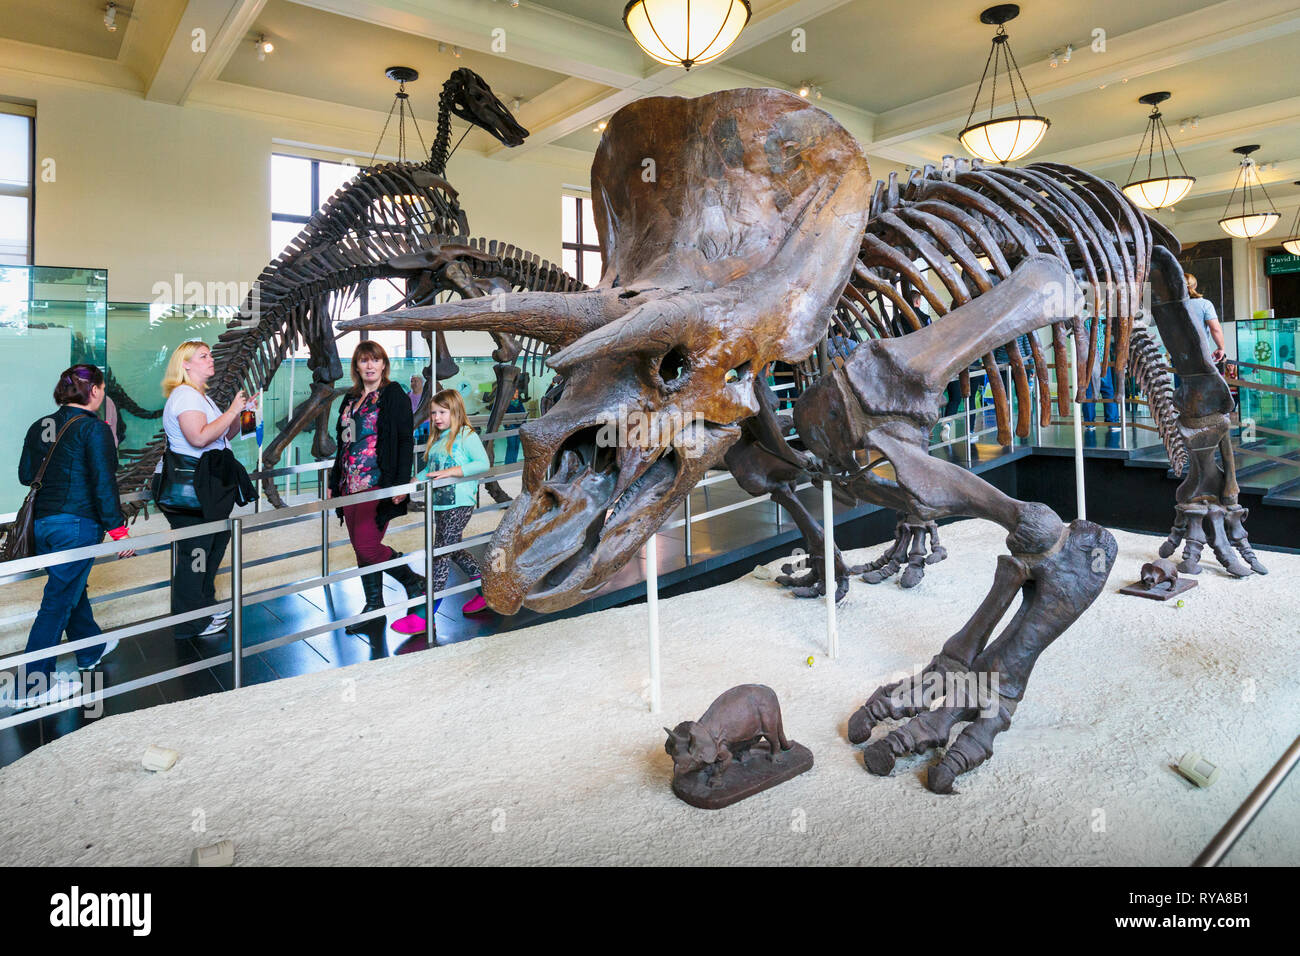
66, 604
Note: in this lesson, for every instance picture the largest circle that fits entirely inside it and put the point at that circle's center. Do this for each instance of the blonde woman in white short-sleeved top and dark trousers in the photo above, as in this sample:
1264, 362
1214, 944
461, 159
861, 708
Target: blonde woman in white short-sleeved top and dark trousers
194, 425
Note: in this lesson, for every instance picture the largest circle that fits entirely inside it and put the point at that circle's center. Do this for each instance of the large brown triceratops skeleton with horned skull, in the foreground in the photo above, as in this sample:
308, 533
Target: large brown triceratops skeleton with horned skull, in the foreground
736, 252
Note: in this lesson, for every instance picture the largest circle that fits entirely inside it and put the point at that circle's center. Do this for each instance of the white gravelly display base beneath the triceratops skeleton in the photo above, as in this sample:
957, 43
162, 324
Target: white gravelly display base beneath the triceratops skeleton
536, 747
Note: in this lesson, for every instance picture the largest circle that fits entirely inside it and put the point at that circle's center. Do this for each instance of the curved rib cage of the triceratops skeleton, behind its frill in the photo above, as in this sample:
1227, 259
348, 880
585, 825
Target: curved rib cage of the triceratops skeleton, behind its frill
967, 222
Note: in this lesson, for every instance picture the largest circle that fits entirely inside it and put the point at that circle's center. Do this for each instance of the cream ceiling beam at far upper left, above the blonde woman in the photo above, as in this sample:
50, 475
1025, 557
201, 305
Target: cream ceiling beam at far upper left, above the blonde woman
226, 24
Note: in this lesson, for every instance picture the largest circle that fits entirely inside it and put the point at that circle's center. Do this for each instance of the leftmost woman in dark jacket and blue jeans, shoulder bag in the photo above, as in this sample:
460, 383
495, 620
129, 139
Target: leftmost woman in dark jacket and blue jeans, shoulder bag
76, 505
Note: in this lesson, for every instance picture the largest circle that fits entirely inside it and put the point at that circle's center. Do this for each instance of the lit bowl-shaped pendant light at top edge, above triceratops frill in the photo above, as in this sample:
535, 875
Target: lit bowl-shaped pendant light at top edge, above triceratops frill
684, 33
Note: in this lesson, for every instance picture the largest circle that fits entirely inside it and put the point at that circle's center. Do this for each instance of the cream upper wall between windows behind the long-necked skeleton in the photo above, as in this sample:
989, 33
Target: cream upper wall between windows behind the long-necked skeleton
150, 191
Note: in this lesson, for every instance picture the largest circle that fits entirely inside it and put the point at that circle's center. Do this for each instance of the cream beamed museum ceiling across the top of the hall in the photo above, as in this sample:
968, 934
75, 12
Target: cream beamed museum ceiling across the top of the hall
900, 77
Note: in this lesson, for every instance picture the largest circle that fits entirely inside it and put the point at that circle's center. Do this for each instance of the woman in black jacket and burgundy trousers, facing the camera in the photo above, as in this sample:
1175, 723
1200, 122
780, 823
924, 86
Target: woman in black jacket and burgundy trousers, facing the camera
376, 445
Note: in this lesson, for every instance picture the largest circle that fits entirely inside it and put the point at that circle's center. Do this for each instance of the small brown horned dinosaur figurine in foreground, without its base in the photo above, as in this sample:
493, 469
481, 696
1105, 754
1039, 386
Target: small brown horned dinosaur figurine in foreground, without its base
733, 725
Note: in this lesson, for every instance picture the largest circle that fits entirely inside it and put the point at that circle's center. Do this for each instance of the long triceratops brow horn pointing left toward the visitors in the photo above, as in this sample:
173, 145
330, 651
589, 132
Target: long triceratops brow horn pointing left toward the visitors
552, 318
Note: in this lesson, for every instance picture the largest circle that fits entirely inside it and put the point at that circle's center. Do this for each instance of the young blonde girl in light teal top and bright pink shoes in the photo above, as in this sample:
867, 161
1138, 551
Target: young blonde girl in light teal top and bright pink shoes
454, 451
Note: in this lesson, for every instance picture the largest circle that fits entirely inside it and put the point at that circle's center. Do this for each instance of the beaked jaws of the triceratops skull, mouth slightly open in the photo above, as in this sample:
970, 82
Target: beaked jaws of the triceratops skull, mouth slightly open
560, 542
